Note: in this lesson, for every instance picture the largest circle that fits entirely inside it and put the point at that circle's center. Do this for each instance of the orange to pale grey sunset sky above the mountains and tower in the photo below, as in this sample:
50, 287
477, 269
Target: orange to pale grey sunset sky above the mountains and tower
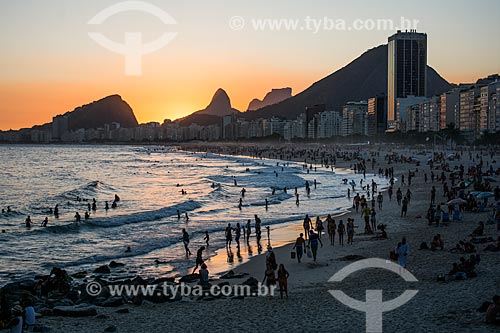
49, 64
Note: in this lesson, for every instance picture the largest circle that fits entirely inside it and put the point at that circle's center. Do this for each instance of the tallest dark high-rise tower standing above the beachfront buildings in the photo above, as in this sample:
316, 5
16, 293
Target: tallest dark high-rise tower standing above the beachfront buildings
407, 70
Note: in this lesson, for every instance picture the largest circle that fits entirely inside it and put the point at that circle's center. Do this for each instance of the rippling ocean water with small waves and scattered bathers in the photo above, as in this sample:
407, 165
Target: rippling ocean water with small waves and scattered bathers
149, 181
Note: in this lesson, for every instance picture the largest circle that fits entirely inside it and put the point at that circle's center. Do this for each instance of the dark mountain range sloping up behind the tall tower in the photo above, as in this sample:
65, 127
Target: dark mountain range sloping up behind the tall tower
364, 77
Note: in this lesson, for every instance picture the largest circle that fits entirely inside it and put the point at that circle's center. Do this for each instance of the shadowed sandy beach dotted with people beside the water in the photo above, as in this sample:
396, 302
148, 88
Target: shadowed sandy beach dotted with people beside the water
438, 306
